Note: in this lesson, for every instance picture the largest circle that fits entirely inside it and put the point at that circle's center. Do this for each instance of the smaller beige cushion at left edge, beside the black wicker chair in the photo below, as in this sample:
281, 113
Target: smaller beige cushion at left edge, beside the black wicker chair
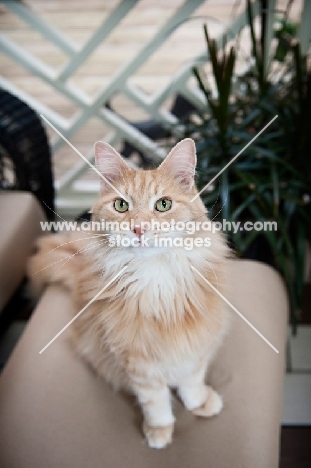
20, 214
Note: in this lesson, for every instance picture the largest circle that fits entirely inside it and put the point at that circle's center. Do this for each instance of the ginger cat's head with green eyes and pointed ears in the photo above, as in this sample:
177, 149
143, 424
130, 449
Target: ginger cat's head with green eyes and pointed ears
144, 206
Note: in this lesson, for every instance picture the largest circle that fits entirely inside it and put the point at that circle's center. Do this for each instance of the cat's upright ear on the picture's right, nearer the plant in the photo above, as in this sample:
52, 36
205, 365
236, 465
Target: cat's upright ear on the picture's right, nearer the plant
181, 162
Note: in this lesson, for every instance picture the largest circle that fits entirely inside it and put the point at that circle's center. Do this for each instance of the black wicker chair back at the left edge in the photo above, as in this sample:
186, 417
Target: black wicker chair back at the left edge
25, 158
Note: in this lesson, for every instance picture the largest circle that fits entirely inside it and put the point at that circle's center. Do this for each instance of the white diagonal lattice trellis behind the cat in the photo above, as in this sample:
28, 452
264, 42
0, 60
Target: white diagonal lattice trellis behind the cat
69, 198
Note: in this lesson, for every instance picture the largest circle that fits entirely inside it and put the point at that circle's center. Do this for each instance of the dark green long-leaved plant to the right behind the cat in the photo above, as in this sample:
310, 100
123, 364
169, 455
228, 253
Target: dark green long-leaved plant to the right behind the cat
271, 180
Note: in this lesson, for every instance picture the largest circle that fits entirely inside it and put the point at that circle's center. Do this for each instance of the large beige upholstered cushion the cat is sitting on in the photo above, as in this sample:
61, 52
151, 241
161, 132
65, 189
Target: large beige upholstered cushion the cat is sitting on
54, 412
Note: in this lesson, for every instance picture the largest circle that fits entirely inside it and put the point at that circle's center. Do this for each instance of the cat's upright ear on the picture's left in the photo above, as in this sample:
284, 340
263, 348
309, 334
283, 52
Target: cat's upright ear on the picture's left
109, 163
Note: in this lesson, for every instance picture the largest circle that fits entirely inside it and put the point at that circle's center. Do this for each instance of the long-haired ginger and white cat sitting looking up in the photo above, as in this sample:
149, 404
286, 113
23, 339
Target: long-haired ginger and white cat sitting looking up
159, 324
